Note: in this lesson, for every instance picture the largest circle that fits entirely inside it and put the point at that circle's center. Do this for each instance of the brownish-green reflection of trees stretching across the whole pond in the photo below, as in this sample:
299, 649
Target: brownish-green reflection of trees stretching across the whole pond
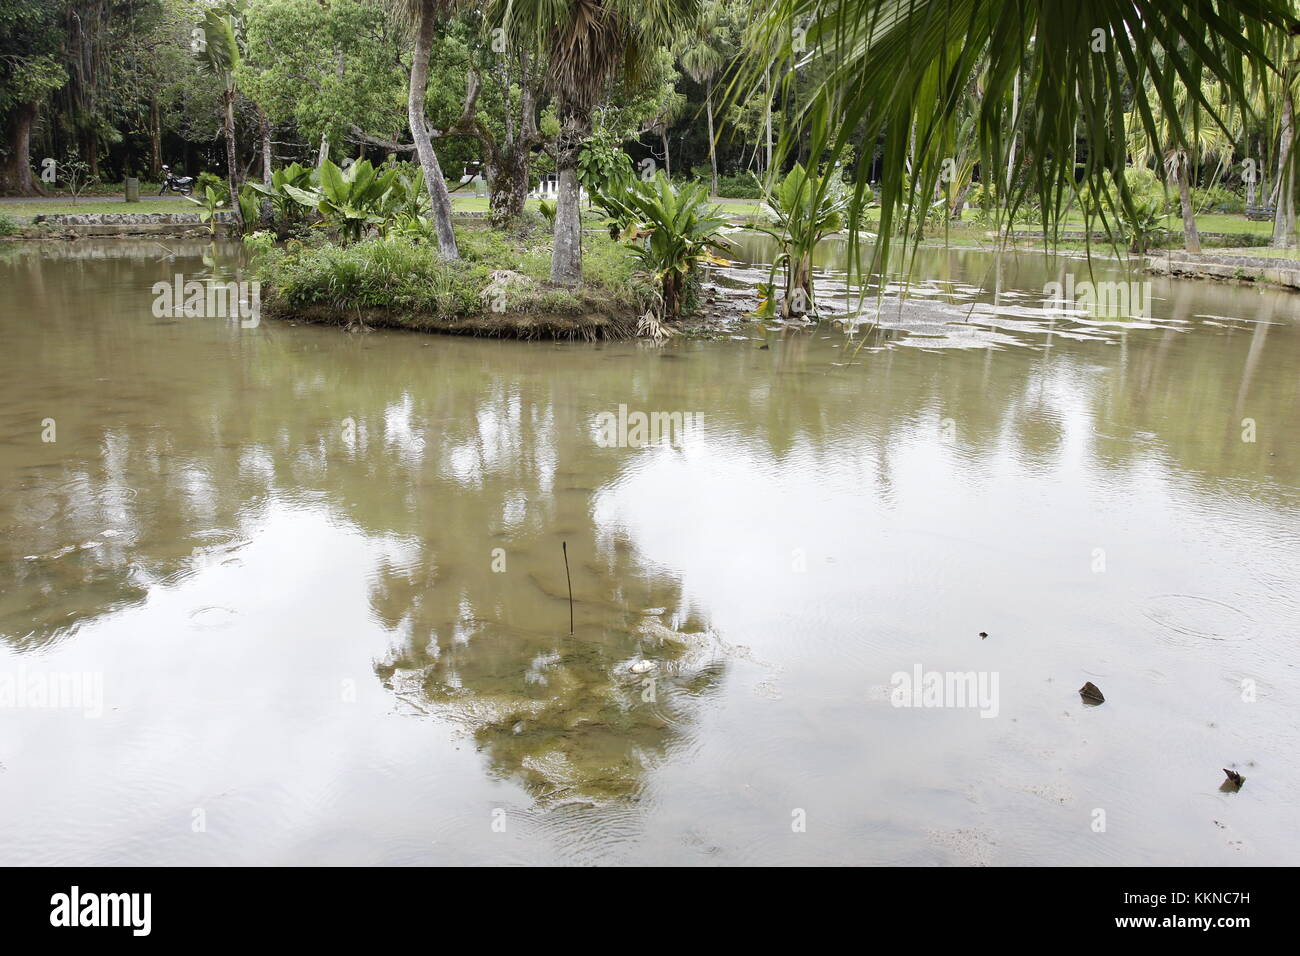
176, 436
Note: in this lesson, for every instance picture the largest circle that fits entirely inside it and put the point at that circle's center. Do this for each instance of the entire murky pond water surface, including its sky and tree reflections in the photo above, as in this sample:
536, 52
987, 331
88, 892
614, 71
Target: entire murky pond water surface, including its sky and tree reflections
319, 581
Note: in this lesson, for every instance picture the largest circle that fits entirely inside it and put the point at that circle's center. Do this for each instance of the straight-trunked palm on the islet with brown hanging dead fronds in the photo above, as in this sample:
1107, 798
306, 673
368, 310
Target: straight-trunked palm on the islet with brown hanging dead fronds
587, 42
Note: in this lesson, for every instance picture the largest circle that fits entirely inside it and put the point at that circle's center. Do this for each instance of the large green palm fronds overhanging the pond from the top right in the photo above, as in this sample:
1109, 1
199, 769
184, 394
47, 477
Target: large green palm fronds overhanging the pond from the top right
896, 66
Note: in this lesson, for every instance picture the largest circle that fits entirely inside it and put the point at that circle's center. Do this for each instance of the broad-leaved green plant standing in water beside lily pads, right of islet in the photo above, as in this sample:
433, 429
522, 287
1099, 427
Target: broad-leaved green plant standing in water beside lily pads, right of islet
807, 209
